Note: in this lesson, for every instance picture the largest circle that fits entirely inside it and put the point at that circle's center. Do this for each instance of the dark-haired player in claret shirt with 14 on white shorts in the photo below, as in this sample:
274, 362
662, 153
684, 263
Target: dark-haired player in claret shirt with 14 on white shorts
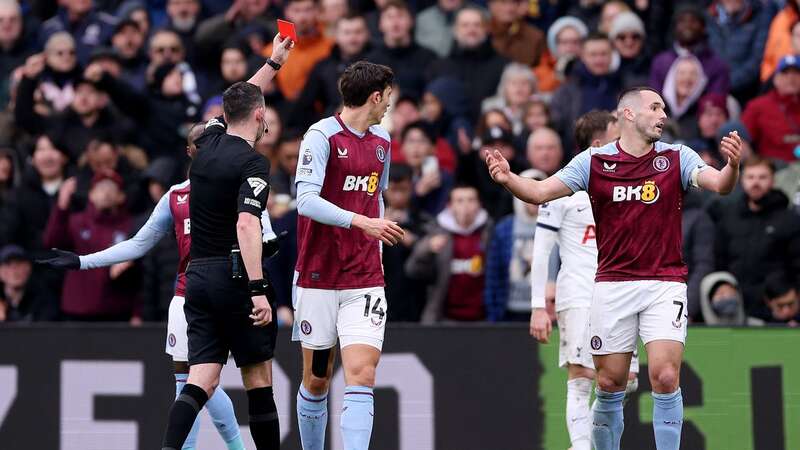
339, 286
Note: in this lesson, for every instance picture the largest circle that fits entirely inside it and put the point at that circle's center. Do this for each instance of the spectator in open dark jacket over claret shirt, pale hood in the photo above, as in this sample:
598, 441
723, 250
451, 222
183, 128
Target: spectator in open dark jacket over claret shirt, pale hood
451, 258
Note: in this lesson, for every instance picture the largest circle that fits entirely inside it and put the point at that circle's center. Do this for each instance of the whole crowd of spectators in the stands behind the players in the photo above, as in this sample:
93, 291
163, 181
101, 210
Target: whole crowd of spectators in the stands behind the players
97, 99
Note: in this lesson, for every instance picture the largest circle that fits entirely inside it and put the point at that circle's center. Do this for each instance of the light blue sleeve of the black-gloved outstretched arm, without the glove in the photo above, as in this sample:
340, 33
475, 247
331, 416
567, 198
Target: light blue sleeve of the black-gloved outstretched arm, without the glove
157, 226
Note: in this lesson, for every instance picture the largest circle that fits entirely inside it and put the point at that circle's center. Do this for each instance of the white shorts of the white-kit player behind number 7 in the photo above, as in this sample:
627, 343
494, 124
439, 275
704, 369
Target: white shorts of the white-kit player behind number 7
573, 333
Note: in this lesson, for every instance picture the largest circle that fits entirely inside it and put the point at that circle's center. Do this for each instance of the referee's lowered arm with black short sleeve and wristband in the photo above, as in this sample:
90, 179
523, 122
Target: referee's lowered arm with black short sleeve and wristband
253, 193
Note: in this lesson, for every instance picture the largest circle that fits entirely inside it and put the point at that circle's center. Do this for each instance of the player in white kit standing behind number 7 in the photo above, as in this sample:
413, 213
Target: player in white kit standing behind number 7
568, 223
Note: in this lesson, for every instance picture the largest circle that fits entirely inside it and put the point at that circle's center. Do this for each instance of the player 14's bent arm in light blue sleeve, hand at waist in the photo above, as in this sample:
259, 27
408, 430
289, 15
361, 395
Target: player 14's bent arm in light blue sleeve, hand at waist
310, 176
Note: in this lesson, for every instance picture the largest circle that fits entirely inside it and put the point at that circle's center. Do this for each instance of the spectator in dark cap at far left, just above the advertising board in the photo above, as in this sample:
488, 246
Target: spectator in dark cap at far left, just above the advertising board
23, 299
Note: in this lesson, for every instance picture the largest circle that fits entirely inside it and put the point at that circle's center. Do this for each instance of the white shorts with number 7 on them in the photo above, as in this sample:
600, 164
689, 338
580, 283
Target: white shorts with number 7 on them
622, 311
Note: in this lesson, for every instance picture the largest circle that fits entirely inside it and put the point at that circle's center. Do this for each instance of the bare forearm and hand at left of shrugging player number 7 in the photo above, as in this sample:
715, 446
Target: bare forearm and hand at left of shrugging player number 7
531, 191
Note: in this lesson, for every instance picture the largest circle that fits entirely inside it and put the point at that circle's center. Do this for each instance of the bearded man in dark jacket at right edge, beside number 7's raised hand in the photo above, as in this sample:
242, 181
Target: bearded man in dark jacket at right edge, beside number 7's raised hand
756, 234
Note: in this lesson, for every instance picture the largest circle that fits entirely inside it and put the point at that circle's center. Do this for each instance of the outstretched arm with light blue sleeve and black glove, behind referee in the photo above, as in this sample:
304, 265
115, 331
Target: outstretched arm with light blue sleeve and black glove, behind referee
156, 227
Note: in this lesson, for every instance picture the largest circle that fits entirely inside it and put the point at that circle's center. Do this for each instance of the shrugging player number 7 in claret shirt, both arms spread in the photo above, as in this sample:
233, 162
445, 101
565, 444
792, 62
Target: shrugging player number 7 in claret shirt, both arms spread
636, 187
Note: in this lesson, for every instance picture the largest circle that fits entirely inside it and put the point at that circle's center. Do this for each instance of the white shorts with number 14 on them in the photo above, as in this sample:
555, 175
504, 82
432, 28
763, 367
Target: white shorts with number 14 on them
355, 316
